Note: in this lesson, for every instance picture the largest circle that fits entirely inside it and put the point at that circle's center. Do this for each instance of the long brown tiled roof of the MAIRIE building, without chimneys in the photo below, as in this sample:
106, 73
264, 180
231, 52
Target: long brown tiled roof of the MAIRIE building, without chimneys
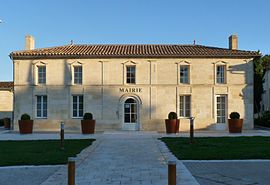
132, 50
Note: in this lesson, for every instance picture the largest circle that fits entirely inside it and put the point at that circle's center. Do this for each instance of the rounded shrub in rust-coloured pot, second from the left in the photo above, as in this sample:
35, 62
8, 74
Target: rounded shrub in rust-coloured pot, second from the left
88, 124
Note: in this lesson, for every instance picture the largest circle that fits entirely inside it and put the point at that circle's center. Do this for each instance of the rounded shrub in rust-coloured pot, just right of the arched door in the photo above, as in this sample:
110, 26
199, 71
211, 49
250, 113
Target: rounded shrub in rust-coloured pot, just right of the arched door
172, 123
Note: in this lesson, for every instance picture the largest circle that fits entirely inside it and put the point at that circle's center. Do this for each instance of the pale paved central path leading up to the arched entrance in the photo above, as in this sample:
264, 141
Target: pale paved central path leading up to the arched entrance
124, 158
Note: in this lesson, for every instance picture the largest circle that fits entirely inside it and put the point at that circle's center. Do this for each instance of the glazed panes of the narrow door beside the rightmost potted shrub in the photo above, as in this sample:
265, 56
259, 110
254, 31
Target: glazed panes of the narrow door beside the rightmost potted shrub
221, 109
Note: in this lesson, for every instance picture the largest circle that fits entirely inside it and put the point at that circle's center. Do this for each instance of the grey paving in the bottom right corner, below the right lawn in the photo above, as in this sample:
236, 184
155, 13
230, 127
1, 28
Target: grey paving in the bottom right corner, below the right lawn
241, 172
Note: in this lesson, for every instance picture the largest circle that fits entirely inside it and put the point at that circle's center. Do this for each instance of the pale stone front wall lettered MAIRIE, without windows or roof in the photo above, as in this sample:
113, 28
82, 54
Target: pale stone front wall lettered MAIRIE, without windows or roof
156, 92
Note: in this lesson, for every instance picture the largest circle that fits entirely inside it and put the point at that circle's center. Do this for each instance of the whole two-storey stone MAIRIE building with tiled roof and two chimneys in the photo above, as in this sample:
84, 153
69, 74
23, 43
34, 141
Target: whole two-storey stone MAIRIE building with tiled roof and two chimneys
133, 87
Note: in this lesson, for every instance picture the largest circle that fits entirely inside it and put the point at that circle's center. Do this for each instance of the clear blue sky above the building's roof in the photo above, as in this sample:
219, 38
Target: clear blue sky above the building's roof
56, 22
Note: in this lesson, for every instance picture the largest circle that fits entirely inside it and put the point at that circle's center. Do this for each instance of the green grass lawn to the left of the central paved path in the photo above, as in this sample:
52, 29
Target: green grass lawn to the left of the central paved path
39, 152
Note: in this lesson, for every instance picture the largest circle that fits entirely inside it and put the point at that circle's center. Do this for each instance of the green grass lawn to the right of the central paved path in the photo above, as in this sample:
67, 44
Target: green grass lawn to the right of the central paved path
256, 147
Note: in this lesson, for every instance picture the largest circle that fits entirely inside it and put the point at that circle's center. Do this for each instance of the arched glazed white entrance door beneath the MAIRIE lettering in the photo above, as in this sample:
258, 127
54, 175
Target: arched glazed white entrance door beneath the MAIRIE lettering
130, 114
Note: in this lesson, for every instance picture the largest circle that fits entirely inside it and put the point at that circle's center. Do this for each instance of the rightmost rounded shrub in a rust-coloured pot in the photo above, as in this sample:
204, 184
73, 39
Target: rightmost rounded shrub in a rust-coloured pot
235, 123
